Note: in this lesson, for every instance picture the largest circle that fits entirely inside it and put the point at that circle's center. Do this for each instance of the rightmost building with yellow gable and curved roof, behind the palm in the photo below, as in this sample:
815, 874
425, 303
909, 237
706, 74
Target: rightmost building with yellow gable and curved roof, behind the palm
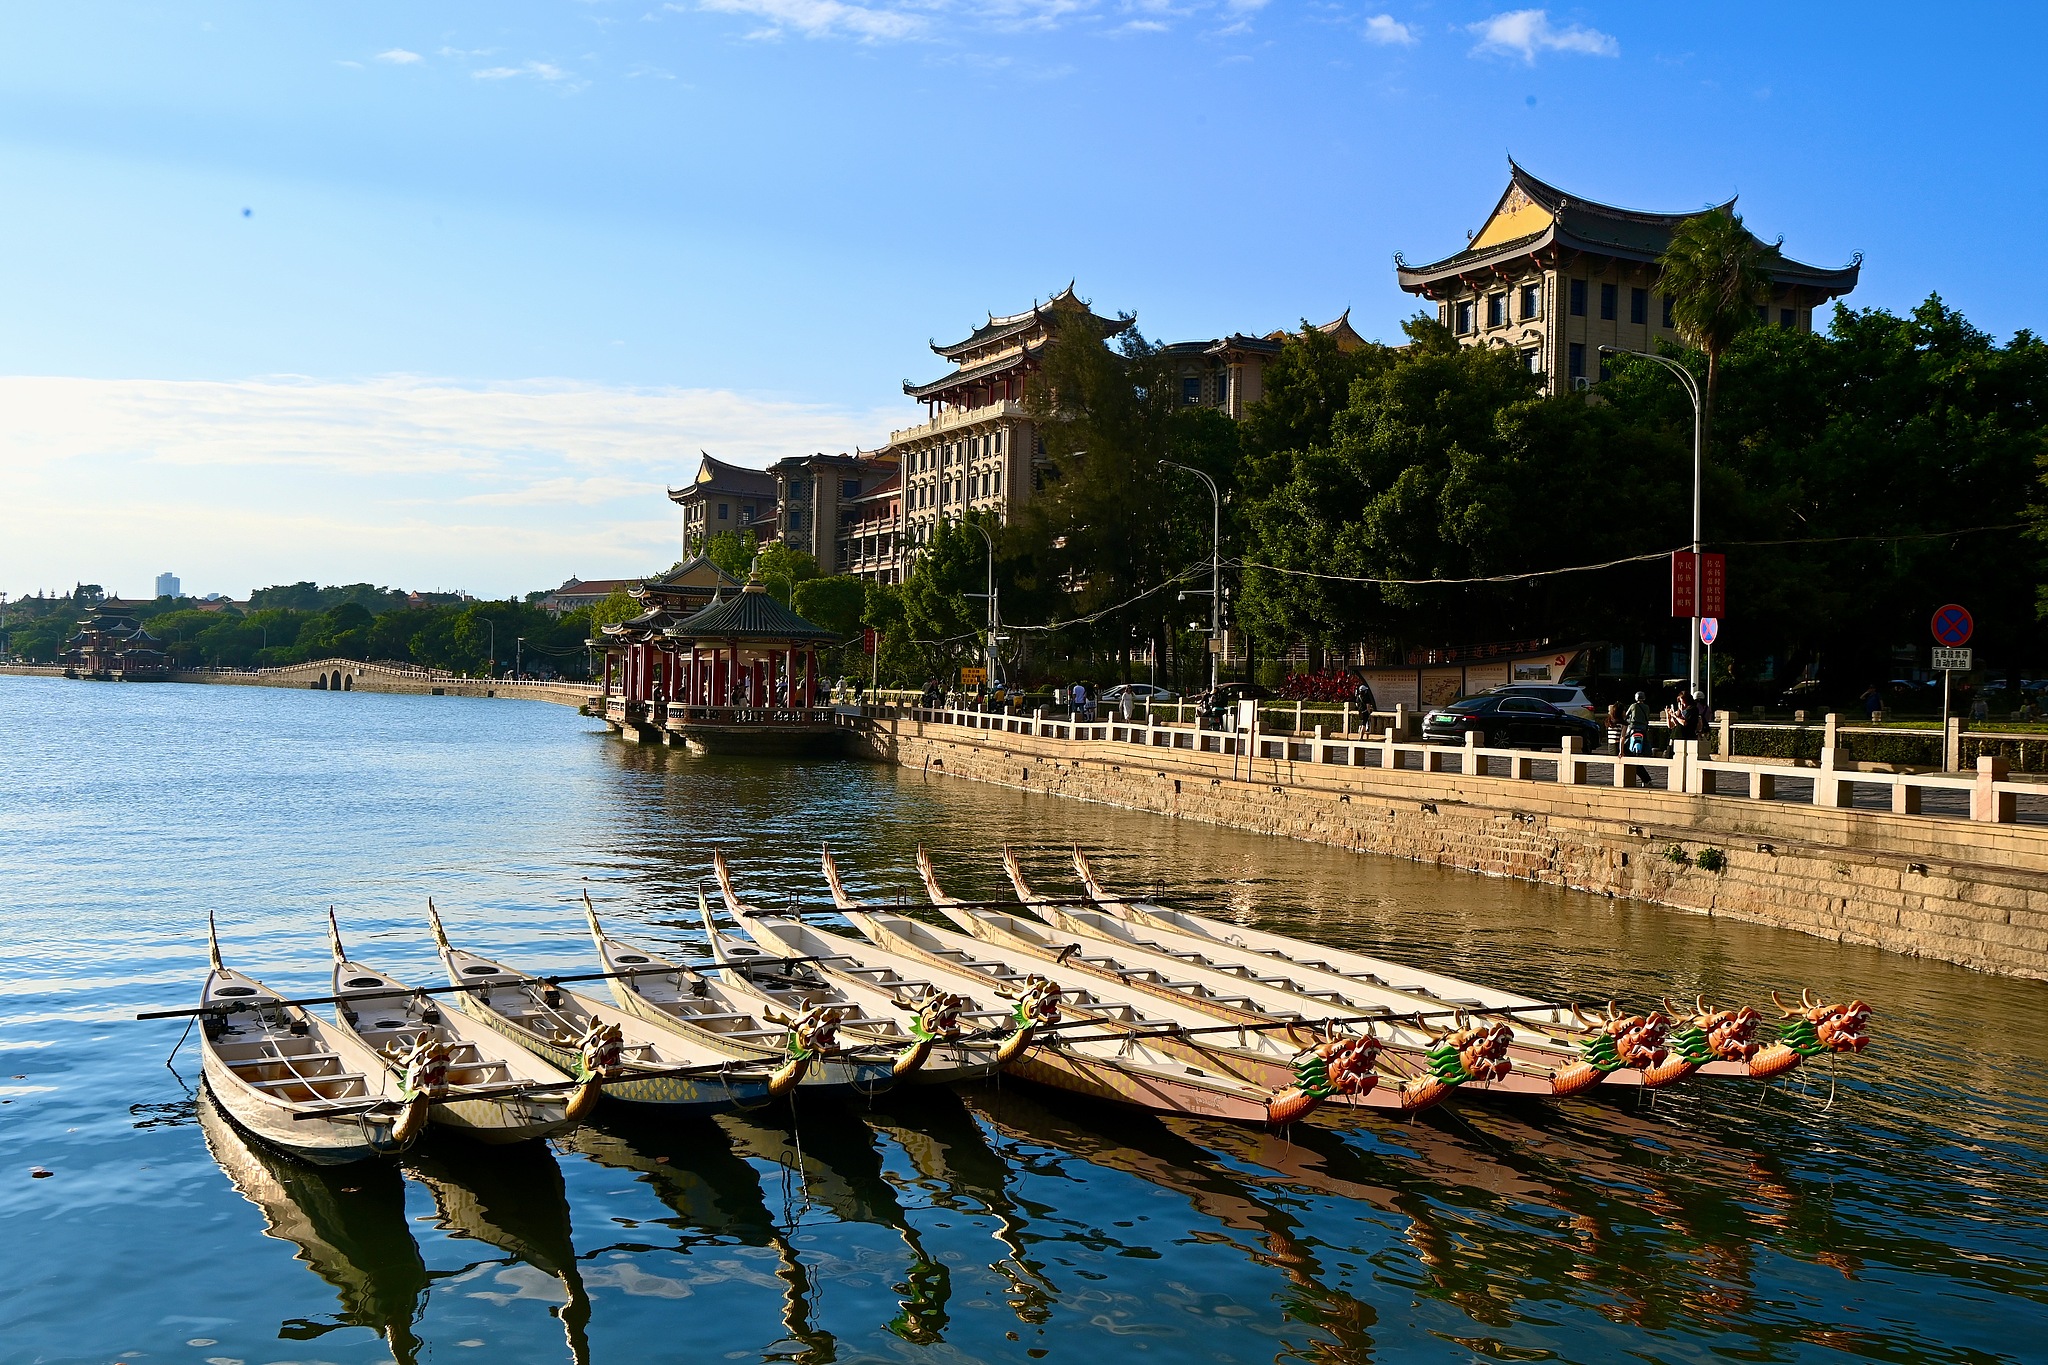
1558, 277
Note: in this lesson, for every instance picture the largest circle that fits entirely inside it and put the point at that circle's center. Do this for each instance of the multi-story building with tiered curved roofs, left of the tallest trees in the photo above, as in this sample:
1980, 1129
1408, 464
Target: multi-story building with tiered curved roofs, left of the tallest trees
978, 449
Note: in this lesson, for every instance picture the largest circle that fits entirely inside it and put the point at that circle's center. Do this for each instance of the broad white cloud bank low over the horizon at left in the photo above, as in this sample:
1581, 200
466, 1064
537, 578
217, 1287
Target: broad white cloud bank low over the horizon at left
415, 482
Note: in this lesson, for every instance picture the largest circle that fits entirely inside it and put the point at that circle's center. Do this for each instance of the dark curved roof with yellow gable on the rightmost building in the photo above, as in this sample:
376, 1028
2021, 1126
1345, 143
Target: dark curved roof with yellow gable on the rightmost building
1537, 220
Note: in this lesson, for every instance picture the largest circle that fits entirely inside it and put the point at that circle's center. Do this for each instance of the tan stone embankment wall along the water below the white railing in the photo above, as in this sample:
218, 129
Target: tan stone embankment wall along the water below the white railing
1961, 891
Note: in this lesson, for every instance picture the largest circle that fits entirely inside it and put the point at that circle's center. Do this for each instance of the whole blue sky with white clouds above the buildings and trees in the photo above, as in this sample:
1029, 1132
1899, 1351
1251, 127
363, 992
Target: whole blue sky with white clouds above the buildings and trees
445, 296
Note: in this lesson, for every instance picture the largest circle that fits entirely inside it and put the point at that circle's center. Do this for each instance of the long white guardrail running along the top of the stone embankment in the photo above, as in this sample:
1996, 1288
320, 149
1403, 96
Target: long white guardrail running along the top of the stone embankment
1986, 795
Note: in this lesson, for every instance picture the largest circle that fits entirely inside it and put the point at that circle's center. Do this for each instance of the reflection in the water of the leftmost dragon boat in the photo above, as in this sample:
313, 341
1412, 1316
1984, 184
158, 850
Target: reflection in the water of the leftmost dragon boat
349, 1227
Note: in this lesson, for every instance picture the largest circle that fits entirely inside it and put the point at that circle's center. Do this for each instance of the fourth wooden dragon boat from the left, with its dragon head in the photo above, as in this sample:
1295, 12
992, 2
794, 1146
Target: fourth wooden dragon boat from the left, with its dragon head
744, 1026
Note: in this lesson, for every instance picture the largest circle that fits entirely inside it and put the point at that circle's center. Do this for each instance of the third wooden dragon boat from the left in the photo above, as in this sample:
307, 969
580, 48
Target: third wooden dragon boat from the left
632, 1059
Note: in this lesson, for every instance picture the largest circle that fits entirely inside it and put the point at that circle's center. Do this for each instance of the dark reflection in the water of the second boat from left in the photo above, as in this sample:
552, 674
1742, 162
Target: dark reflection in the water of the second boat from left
511, 1198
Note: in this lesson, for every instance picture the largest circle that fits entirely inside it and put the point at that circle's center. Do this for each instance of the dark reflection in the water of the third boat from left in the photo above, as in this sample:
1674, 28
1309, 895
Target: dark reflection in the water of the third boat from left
691, 1165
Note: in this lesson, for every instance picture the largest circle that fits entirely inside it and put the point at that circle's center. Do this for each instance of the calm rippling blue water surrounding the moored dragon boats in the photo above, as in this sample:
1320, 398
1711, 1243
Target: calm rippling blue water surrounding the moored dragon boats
1893, 1210
